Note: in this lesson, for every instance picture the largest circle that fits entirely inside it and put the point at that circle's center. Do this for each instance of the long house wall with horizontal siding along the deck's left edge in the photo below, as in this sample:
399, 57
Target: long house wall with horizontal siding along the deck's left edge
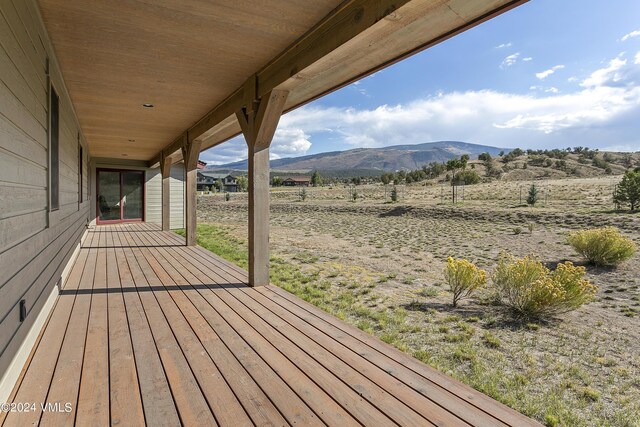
35, 244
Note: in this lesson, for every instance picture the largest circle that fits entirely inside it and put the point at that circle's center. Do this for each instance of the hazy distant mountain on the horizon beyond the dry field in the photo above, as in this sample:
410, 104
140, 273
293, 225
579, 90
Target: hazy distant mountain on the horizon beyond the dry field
392, 158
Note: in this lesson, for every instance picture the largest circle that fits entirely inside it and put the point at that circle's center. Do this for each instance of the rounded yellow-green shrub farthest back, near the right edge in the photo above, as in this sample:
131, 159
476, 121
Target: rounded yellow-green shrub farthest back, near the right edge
602, 246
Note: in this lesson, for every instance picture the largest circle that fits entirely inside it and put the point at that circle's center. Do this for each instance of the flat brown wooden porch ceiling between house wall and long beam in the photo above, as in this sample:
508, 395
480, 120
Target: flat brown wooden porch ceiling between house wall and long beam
184, 57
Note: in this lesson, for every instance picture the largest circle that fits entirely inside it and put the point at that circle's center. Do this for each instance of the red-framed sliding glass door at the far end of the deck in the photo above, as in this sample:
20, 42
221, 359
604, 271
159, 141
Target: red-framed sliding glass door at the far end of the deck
120, 196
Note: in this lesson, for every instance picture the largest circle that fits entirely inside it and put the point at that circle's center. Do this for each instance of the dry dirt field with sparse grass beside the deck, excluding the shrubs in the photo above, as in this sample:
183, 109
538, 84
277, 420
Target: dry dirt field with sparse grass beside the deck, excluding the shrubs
581, 369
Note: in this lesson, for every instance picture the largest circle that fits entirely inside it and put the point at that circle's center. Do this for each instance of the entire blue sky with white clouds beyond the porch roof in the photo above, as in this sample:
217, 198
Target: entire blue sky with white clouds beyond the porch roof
547, 74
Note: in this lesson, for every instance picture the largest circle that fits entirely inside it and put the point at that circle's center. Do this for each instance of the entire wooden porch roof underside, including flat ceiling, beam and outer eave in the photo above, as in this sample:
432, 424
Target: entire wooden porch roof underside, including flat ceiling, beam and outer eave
191, 58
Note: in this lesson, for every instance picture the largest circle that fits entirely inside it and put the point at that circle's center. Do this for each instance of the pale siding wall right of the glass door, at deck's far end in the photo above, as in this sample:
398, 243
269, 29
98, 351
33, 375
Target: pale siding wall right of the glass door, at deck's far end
154, 196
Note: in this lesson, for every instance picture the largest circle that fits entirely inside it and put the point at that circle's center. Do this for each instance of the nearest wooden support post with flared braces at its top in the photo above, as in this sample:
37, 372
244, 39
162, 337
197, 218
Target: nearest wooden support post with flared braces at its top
258, 122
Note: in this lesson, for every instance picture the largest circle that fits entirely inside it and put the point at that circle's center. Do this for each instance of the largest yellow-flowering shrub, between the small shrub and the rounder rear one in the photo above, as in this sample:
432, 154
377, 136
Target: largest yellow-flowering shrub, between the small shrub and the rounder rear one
531, 289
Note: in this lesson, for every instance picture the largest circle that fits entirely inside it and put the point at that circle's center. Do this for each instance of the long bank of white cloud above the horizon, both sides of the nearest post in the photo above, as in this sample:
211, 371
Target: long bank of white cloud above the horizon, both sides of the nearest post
603, 111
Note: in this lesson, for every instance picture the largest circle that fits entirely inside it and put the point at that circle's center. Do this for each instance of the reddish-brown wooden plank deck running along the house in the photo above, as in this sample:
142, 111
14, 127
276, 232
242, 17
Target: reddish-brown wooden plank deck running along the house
148, 331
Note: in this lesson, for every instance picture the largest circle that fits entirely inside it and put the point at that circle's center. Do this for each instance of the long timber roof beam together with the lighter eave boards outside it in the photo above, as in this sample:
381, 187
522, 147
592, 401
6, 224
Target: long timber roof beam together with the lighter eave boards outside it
320, 54
